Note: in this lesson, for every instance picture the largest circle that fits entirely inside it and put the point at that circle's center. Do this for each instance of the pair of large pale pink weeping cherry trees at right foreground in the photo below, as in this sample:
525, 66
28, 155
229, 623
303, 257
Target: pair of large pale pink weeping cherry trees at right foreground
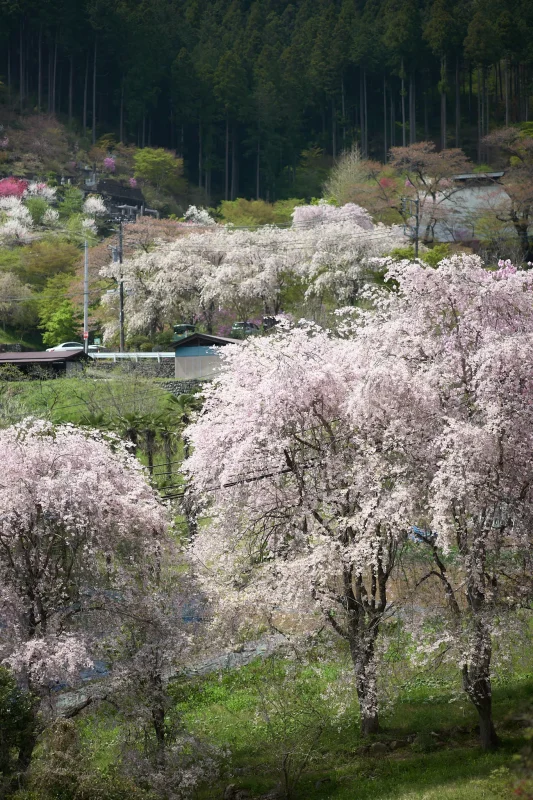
319, 455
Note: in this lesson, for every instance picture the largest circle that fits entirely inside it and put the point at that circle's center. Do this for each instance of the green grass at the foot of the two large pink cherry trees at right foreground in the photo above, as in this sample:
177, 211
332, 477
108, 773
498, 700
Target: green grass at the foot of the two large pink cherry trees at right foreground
443, 762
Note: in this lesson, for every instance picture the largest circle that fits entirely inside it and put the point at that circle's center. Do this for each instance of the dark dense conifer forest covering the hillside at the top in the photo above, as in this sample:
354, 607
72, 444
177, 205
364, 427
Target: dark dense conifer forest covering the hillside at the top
248, 91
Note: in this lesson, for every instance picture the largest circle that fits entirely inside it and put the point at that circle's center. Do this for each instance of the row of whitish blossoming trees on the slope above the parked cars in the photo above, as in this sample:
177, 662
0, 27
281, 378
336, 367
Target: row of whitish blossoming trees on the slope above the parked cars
327, 251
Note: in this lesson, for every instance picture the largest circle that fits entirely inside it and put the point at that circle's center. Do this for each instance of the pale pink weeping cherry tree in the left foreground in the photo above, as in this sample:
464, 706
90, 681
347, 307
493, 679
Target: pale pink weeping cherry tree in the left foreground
81, 536
